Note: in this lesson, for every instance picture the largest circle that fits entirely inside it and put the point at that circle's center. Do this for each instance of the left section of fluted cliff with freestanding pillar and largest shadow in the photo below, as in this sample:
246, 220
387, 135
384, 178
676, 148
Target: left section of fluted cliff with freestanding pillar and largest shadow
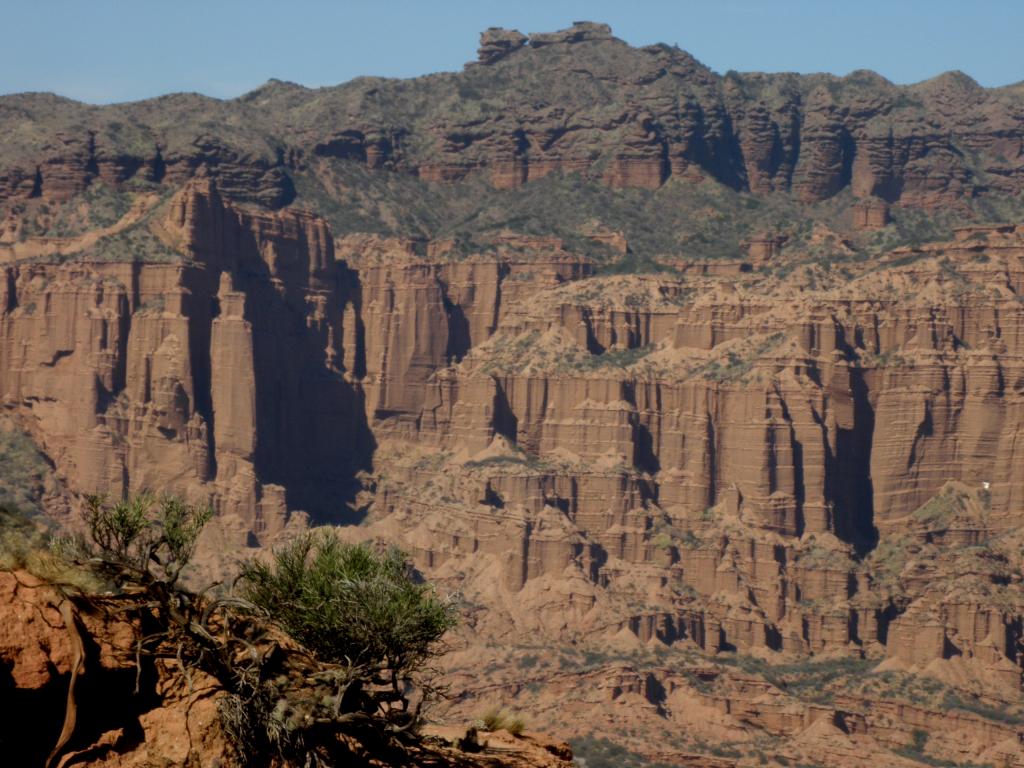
139, 359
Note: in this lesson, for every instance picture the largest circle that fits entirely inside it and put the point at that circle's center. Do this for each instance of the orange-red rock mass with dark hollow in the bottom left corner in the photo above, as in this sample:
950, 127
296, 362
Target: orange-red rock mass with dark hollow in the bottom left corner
38, 657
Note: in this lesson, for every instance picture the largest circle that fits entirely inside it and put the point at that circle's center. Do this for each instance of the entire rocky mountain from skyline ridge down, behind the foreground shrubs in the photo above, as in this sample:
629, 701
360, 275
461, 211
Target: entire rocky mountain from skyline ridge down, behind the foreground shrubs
703, 392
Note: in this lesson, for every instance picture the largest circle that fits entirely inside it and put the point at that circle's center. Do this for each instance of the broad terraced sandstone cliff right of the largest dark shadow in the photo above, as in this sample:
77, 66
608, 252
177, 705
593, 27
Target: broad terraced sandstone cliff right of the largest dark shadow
804, 472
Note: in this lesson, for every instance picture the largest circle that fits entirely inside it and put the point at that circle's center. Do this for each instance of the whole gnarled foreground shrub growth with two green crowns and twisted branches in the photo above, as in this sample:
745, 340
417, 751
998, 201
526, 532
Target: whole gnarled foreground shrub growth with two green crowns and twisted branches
326, 645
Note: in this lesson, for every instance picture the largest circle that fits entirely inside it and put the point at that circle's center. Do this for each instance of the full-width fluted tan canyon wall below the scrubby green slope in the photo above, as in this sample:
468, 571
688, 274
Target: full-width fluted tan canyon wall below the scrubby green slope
731, 446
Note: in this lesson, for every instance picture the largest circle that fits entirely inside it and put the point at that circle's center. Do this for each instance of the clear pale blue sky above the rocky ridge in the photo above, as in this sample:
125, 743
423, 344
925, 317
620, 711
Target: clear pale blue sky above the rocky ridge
116, 51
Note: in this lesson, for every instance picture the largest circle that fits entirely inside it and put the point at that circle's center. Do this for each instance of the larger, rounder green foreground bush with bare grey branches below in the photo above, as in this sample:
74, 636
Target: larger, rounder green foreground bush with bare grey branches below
370, 625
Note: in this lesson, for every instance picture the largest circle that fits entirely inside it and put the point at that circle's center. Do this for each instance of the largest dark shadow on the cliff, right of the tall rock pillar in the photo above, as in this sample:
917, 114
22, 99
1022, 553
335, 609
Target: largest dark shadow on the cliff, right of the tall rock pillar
312, 432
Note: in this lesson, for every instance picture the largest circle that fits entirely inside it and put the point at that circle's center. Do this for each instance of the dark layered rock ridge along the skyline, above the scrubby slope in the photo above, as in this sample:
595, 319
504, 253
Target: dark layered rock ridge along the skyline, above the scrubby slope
576, 101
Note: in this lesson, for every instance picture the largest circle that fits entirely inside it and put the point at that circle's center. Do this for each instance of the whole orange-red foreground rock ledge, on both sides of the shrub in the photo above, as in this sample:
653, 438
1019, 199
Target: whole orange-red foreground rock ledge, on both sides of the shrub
158, 714
